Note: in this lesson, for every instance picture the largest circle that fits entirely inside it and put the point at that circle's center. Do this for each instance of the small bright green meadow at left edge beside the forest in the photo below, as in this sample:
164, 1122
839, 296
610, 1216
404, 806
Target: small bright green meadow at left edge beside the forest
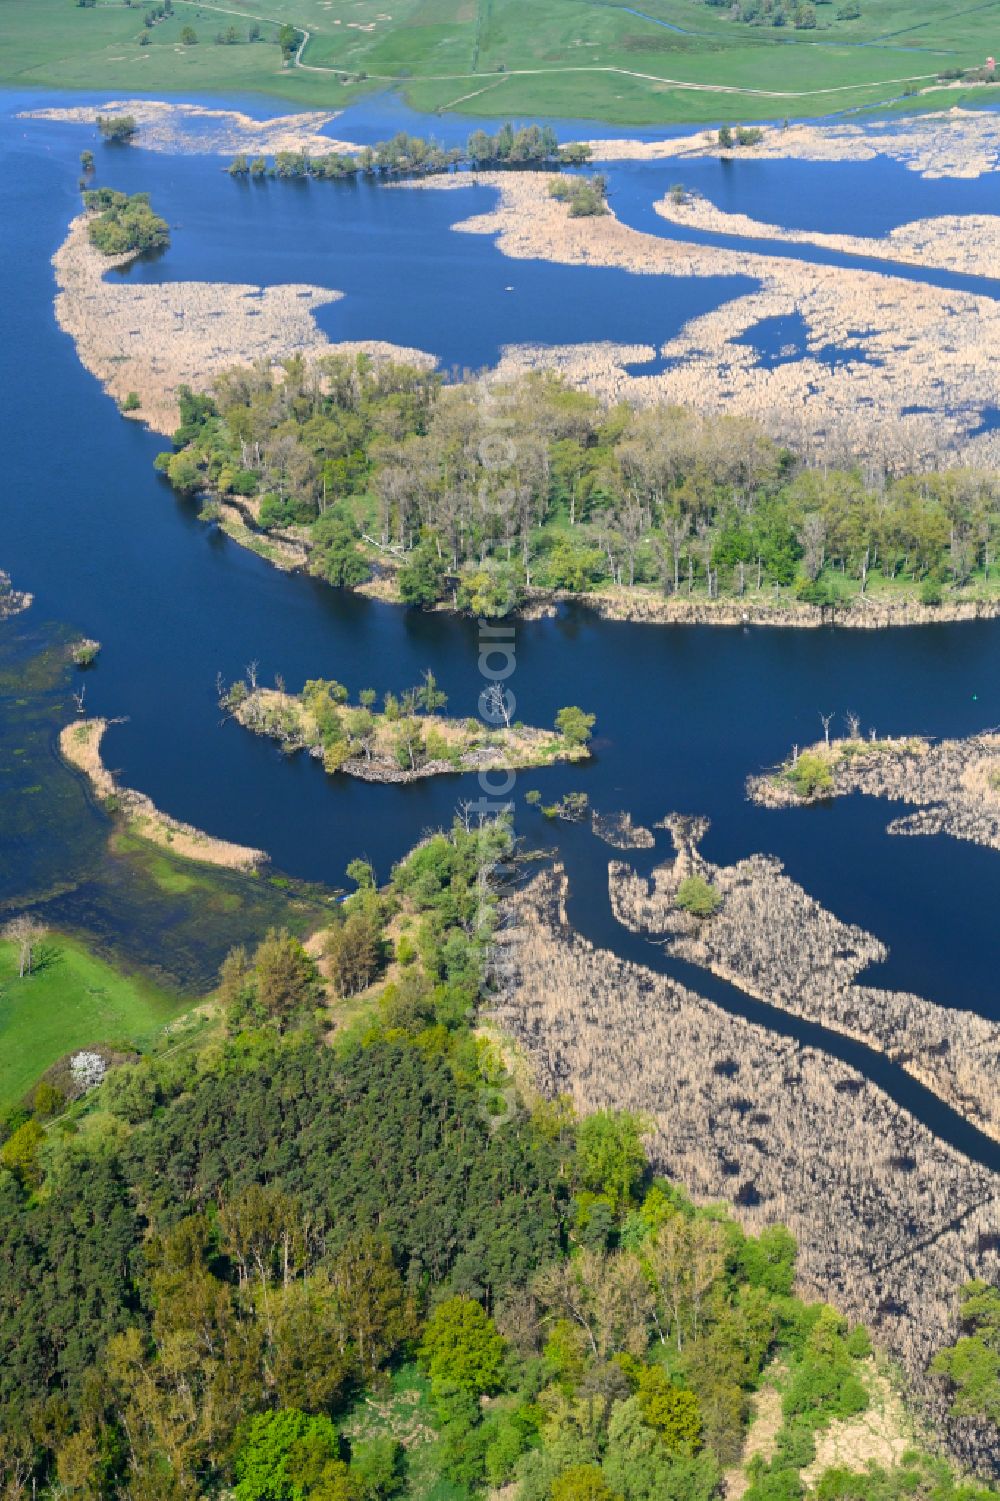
71, 1000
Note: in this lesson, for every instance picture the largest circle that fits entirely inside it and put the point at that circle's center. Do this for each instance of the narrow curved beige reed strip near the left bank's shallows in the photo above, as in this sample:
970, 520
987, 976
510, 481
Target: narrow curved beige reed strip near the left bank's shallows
80, 747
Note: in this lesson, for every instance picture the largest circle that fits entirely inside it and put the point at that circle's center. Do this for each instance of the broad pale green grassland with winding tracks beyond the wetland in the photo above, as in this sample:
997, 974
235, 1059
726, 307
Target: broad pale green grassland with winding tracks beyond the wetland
523, 58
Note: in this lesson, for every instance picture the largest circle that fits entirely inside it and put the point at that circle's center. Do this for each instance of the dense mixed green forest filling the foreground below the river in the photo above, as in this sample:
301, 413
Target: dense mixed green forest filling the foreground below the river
334, 1253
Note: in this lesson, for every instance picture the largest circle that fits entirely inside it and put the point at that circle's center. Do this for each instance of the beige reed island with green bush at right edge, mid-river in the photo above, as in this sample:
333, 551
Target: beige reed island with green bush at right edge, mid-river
953, 784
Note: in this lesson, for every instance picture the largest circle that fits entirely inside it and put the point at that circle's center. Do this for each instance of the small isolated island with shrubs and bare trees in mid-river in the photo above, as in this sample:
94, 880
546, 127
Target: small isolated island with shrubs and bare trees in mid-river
409, 738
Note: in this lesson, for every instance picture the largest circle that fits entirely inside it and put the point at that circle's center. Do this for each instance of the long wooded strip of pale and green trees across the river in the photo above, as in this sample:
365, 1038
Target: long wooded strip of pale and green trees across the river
475, 492
